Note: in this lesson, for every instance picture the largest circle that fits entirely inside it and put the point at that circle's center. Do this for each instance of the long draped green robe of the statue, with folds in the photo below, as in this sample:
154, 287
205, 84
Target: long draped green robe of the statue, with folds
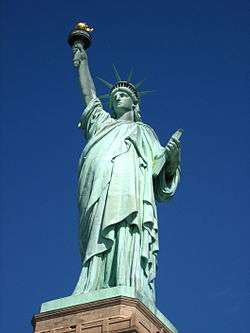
121, 173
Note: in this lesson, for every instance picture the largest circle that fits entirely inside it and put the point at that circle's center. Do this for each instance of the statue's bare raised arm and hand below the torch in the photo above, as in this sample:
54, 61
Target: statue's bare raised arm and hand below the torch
80, 60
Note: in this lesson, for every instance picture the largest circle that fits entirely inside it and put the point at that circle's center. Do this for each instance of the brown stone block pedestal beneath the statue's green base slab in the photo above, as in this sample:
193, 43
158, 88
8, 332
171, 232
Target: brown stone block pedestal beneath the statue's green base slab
114, 315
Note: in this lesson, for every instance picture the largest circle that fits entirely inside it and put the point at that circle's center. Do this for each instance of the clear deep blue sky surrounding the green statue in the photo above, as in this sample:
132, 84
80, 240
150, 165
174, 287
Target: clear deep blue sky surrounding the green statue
195, 55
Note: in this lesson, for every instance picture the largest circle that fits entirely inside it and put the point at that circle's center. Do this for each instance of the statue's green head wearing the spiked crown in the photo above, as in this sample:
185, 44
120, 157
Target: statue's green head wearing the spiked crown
124, 96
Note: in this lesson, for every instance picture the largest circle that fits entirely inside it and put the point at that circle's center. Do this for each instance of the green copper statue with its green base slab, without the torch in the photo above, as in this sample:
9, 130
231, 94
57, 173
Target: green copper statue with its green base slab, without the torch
123, 170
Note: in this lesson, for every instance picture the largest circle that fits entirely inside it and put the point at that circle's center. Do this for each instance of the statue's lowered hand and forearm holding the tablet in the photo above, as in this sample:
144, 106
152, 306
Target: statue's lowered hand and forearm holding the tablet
173, 156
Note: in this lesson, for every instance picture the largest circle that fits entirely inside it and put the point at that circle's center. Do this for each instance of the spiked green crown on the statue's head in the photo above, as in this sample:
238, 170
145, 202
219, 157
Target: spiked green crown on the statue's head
126, 85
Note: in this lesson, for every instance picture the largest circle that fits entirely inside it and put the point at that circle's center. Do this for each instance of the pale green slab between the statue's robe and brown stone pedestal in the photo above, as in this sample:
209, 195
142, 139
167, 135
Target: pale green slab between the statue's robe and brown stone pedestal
106, 294
